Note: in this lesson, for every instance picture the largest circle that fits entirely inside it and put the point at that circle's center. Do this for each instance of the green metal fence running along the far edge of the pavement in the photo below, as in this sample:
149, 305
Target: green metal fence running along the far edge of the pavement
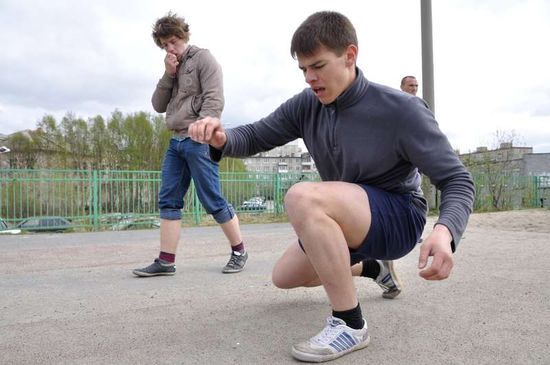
107, 199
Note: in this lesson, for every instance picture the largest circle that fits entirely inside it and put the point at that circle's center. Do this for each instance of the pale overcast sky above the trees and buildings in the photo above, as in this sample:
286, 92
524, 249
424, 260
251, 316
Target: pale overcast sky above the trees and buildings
491, 58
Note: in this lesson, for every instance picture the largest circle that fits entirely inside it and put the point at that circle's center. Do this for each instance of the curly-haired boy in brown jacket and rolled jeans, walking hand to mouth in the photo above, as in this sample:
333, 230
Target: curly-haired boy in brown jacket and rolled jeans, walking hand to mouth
191, 88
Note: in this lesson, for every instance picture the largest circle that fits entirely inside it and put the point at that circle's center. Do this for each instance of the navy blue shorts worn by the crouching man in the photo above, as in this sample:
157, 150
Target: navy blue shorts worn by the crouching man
397, 223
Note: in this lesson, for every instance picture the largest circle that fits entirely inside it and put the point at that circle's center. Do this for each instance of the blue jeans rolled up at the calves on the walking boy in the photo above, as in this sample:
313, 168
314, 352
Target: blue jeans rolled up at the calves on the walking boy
184, 160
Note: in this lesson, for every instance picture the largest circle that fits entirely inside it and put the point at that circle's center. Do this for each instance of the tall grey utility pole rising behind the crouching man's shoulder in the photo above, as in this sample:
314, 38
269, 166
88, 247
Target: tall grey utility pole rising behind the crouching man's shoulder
427, 53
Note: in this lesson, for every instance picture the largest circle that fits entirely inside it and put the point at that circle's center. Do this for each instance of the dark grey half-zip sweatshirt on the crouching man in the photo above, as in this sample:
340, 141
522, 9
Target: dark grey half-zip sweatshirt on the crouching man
372, 134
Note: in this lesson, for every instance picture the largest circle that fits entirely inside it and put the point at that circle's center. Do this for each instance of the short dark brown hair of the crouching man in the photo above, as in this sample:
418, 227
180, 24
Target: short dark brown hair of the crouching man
325, 28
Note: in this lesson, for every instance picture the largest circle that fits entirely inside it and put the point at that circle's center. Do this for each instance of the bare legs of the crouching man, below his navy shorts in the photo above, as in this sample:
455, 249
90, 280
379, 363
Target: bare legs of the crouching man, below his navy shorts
328, 217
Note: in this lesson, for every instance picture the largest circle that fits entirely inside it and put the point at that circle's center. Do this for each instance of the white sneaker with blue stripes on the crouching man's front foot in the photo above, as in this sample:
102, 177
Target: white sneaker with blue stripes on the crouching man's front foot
335, 340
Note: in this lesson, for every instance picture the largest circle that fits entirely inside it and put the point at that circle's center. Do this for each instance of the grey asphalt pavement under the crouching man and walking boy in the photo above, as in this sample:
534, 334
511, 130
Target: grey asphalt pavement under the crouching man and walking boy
72, 299
